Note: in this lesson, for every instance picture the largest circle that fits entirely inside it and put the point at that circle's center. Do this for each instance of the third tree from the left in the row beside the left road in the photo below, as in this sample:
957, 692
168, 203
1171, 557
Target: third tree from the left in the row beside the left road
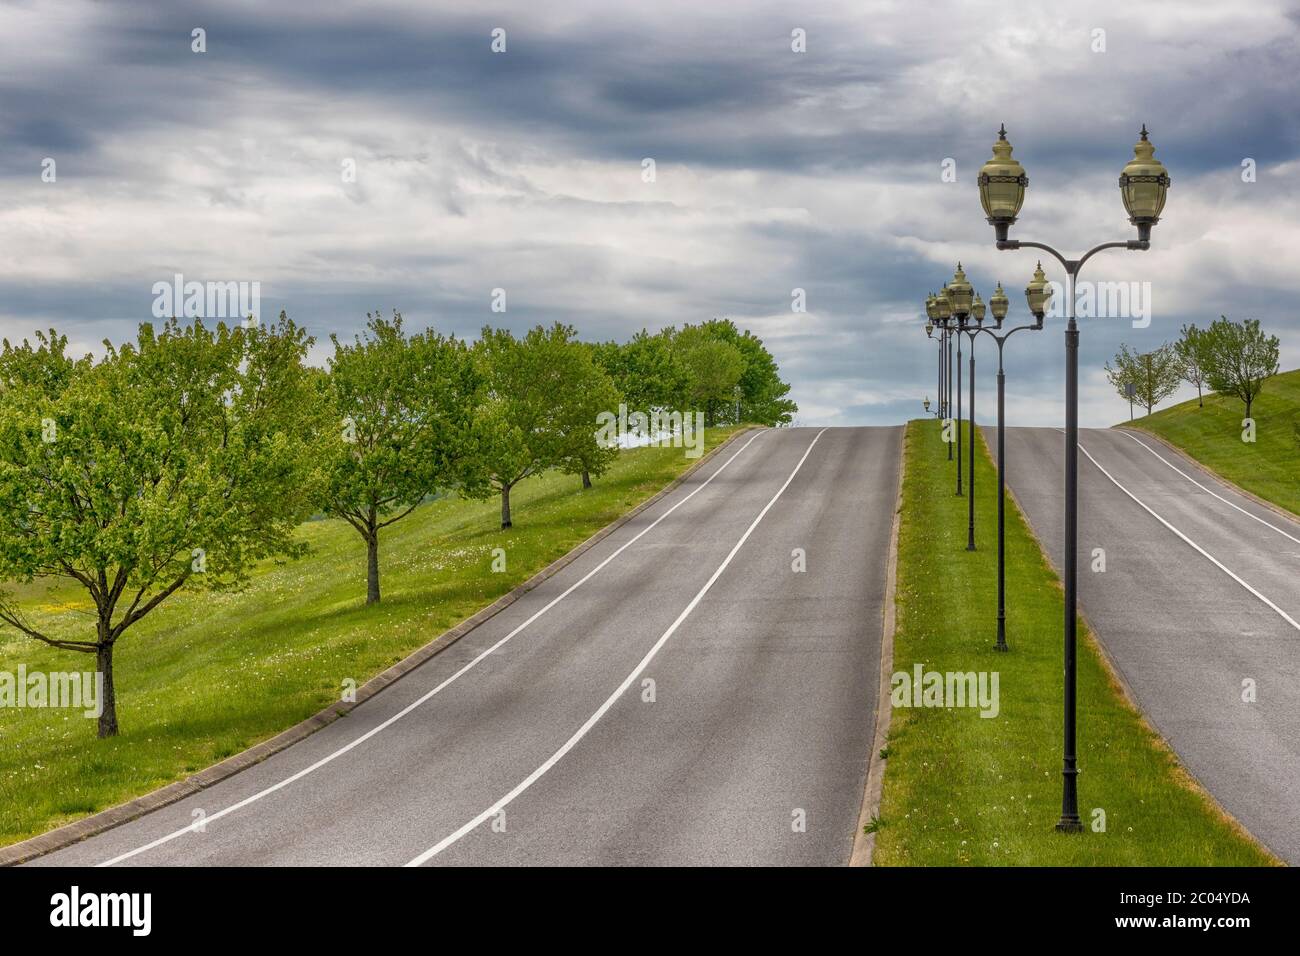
521, 426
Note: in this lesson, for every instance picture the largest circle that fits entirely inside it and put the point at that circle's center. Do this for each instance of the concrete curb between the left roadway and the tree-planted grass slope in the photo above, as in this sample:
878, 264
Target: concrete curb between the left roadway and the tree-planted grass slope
171, 794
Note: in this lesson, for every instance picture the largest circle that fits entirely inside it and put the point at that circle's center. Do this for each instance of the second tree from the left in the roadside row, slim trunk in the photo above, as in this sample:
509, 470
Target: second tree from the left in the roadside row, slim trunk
404, 408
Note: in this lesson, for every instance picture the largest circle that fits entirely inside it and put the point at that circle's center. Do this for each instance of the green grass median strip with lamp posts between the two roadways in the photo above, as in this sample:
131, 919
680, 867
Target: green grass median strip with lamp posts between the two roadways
964, 790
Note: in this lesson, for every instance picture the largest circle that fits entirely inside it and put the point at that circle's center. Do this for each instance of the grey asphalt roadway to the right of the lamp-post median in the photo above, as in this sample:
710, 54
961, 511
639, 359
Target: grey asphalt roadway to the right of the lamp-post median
1201, 598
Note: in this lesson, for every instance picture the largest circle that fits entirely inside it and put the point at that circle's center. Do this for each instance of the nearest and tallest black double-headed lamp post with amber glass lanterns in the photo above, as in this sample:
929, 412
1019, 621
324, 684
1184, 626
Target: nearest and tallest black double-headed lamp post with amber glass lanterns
1143, 187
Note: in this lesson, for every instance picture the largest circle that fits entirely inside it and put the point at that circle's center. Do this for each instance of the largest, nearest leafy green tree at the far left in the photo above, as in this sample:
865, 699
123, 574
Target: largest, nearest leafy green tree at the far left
177, 461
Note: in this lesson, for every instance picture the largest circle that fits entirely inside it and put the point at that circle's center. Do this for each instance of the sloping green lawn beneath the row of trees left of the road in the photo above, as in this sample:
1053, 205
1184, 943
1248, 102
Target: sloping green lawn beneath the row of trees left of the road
209, 676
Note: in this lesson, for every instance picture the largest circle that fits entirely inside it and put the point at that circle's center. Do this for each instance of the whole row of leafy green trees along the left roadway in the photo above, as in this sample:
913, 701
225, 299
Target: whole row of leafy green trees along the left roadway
188, 456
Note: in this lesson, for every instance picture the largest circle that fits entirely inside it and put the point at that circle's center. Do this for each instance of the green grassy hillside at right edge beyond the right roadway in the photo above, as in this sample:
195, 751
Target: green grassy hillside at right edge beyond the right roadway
1271, 466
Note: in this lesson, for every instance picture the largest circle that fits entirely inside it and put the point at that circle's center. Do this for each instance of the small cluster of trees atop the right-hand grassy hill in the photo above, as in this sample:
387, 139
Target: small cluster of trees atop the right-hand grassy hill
1229, 358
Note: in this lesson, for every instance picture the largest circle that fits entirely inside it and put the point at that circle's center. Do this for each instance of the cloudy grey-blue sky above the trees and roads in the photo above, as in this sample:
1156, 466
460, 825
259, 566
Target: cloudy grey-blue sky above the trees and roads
774, 171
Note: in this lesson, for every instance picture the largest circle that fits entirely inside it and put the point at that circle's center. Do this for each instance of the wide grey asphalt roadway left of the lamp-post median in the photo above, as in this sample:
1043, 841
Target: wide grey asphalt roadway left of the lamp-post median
538, 741
